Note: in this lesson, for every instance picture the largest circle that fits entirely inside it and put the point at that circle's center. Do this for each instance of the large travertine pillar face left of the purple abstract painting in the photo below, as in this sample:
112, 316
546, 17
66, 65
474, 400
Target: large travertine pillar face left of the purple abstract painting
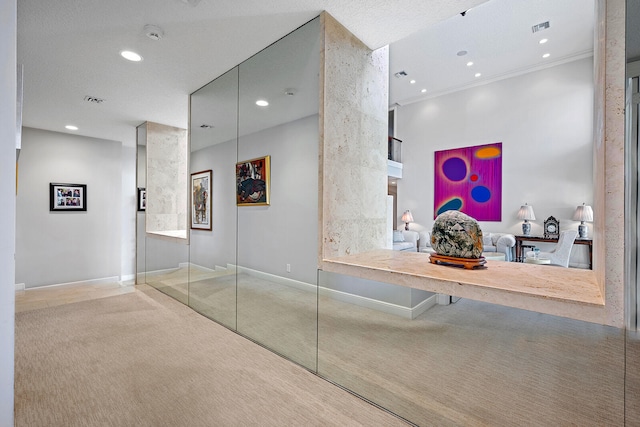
353, 143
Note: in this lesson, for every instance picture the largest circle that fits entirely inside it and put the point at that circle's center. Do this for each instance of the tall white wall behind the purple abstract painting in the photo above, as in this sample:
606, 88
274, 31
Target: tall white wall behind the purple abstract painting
544, 121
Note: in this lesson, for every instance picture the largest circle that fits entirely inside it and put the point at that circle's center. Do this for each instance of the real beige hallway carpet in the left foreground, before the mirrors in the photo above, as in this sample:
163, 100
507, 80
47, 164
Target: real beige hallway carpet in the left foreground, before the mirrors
143, 359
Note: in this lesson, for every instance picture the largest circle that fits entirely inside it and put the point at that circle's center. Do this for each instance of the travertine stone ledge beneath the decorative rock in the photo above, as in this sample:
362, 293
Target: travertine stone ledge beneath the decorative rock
566, 292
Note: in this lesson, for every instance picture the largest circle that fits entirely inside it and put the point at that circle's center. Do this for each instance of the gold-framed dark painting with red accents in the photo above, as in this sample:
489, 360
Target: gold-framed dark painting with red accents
253, 181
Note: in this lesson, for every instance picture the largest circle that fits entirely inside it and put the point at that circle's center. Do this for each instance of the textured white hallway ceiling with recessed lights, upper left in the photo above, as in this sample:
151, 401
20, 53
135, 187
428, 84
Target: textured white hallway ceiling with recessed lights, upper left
70, 49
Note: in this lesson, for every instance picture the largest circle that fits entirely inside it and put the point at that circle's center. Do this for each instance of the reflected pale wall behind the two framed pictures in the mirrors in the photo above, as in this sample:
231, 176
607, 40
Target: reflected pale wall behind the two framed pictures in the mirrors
269, 237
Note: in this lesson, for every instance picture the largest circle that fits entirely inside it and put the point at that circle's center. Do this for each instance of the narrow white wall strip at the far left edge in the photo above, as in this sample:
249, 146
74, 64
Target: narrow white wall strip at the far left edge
8, 13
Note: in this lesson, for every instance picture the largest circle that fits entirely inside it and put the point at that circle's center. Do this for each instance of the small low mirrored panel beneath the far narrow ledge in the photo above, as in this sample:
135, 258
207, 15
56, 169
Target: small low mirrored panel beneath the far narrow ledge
167, 261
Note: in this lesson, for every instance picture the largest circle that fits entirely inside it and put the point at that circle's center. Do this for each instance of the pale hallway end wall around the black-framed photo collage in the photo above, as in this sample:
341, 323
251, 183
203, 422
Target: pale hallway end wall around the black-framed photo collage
61, 247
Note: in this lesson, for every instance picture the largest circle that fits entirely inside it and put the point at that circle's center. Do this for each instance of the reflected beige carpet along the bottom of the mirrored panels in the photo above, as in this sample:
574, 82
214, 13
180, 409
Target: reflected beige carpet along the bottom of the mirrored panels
467, 364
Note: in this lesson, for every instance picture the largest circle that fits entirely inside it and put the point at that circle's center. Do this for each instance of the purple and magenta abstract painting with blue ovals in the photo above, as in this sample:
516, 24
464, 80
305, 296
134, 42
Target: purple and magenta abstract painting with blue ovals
469, 180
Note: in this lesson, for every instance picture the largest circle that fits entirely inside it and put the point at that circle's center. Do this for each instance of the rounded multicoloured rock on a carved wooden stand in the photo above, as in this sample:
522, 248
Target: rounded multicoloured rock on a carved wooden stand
457, 240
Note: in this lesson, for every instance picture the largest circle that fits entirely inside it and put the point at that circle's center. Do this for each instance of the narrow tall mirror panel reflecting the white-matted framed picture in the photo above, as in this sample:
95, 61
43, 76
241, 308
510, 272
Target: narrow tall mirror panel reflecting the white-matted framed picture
214, 124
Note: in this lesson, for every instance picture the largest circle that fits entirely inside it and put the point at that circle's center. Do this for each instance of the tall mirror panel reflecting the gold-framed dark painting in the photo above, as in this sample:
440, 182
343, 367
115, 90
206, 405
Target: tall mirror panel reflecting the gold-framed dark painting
277, 195
